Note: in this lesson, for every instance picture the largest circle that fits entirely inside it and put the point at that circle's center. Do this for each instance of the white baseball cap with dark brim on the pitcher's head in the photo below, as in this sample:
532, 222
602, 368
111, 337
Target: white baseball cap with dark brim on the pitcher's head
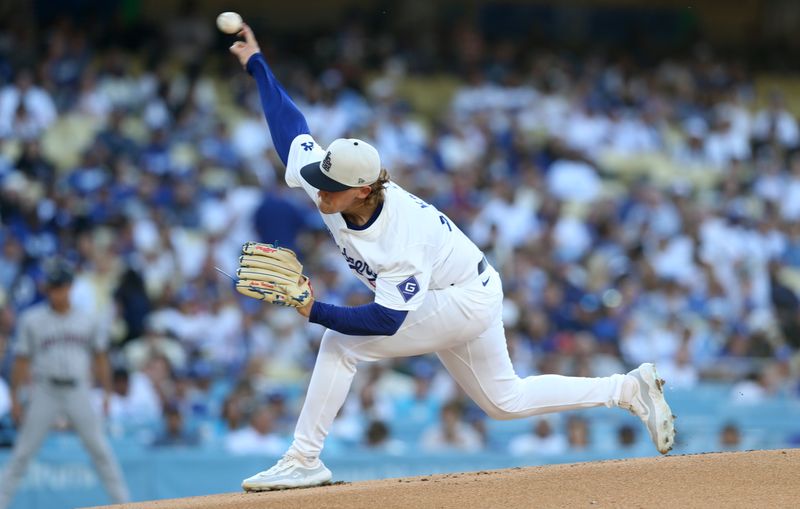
348, 163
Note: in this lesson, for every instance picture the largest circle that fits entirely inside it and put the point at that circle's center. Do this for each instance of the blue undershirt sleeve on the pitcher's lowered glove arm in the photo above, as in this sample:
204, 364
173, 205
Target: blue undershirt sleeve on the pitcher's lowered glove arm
367, 320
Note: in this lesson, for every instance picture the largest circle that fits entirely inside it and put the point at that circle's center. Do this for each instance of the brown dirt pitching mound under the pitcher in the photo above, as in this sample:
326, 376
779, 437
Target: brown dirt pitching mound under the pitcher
745, 479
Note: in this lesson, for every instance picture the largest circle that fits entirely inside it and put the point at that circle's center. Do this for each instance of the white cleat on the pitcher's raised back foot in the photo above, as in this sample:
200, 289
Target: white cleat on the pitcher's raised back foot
649, 405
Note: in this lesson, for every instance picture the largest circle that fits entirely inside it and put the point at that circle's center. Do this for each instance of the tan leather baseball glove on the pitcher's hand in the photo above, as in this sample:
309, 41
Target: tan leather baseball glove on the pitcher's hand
273, 274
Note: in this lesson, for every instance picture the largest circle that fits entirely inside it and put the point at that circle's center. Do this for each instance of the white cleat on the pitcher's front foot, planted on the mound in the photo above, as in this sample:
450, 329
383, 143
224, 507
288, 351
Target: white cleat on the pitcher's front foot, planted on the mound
289, 472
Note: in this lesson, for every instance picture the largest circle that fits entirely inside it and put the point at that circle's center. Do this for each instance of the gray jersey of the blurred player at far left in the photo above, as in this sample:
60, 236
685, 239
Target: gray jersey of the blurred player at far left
59, 345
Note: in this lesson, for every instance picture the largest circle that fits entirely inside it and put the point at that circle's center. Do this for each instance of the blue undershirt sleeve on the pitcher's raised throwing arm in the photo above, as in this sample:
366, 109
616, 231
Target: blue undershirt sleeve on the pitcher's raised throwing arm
284, 119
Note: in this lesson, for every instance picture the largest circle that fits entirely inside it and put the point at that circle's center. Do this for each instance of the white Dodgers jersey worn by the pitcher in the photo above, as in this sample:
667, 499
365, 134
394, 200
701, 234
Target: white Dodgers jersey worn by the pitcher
398, 260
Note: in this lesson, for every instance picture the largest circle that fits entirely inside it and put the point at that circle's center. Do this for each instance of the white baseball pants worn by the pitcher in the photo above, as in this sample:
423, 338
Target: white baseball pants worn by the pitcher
463, 326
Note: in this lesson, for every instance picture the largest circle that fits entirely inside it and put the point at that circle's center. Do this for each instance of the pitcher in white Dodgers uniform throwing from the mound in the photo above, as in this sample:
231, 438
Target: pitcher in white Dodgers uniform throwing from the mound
434, 292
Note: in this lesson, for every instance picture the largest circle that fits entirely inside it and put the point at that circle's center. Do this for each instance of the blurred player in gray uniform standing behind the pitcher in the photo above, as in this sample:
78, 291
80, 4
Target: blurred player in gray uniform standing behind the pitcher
55, 349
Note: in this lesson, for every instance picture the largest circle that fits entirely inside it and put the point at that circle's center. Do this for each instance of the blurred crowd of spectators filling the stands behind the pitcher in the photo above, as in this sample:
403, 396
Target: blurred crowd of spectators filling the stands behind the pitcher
638, 210
